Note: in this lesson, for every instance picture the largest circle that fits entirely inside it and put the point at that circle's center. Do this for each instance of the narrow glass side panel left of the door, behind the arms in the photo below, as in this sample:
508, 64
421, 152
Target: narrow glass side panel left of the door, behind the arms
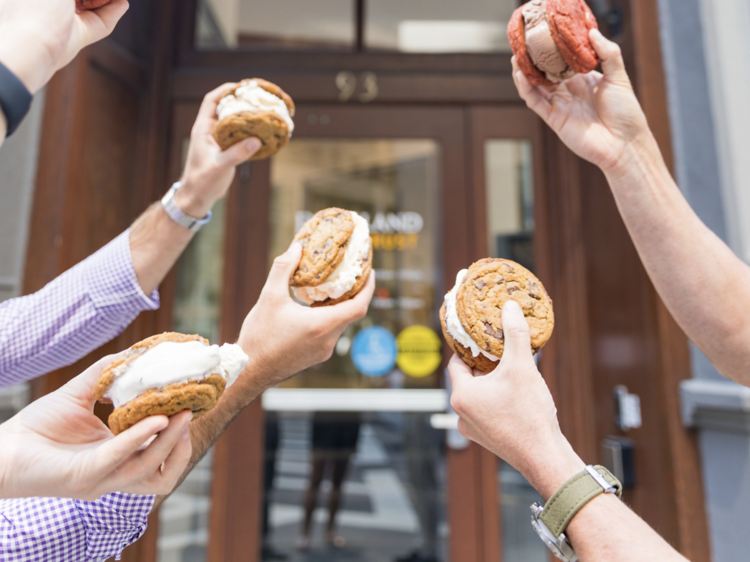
183, 518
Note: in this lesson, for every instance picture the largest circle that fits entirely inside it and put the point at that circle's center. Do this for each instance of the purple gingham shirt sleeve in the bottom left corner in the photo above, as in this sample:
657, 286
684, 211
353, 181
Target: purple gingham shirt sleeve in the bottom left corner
61, 530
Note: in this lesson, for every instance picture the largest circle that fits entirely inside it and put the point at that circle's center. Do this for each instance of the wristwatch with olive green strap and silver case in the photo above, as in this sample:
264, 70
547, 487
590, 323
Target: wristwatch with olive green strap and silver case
551, 520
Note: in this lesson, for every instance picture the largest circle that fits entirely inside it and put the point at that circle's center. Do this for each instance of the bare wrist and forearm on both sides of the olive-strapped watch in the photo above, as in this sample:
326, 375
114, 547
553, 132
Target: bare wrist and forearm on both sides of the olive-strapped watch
605, 530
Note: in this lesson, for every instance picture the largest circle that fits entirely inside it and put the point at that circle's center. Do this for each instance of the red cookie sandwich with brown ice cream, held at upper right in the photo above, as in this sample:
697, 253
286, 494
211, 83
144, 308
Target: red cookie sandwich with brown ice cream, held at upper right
550, 40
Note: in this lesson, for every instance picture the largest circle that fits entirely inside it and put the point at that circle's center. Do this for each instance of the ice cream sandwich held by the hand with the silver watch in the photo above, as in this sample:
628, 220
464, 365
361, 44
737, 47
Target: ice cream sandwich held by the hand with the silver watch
255, 108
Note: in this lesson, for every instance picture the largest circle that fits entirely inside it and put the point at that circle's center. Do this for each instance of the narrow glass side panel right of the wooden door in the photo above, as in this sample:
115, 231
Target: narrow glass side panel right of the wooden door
510, 235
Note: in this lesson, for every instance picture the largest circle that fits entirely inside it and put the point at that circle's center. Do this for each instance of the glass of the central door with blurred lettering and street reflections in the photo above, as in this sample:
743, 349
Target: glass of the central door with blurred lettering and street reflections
352, 485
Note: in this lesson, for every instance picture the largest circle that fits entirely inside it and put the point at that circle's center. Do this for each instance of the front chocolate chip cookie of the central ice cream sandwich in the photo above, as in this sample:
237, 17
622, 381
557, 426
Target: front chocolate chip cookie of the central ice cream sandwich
324, 239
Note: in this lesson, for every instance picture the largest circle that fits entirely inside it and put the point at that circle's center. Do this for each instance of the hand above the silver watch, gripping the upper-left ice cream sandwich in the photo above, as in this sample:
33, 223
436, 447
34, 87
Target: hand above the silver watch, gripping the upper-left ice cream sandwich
209, 170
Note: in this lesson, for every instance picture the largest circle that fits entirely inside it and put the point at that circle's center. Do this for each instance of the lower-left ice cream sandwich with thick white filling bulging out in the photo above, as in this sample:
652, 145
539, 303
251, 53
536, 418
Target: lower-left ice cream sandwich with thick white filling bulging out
165, 375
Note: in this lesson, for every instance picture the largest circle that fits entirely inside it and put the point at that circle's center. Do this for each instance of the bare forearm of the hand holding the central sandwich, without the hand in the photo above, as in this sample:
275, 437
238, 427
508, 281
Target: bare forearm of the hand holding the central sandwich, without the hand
206, 430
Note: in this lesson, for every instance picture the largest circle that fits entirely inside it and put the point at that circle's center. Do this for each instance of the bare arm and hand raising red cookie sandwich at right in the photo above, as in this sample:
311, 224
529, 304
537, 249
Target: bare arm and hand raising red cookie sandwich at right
703, 284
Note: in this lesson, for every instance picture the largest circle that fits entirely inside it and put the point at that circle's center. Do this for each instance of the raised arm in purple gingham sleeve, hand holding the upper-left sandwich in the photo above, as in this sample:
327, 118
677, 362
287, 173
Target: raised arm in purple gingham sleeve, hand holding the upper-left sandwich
93, 302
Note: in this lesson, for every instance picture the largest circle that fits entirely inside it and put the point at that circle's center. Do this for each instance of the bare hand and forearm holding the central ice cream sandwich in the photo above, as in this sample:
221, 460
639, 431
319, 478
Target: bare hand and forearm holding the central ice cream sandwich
310, 335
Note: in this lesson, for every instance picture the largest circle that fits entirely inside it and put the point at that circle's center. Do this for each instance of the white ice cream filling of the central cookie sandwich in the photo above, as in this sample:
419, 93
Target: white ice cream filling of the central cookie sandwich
345, 276
